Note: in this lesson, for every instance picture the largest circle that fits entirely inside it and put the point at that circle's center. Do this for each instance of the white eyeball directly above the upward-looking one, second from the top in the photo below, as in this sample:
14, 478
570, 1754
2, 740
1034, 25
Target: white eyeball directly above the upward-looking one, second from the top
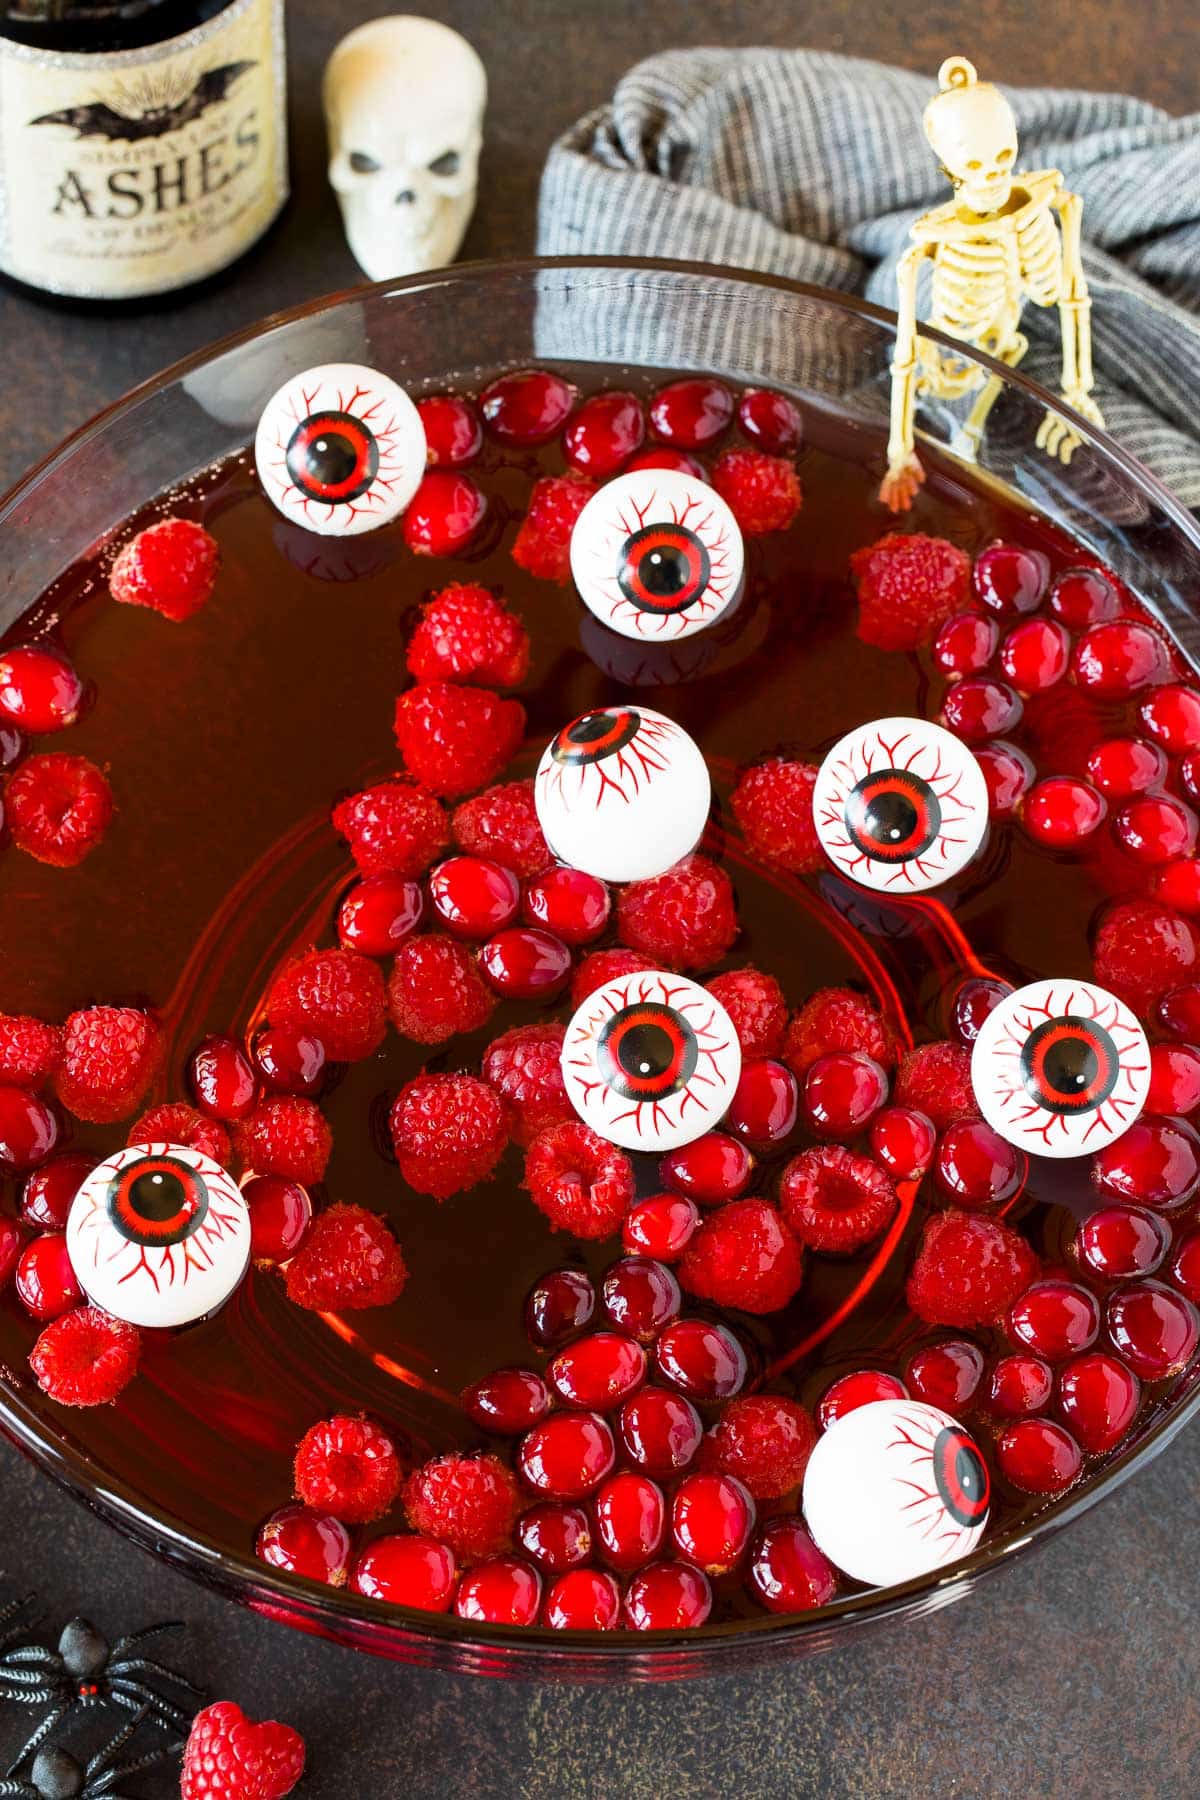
658, 555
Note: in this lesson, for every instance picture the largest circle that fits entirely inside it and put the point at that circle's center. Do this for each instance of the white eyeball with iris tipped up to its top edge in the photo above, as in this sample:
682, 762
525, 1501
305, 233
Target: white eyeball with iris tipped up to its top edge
623, 793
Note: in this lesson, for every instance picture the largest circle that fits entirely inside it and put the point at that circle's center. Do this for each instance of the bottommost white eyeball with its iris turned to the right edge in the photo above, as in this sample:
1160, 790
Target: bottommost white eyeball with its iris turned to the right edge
893, 1491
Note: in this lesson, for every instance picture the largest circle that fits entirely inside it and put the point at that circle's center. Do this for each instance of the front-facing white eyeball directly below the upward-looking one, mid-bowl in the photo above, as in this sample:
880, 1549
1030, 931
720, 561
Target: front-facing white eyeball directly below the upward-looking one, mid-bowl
650, 1061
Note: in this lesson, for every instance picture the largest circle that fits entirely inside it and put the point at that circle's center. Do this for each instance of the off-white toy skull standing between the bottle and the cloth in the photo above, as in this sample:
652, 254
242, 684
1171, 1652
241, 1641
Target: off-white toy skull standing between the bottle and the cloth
404, 105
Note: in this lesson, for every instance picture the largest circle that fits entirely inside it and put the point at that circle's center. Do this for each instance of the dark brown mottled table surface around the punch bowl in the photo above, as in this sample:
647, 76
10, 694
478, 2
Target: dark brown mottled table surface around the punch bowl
1073, 1673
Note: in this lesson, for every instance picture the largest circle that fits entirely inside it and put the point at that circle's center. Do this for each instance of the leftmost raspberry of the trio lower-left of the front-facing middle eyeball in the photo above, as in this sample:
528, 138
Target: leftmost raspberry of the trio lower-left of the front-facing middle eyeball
449, 1131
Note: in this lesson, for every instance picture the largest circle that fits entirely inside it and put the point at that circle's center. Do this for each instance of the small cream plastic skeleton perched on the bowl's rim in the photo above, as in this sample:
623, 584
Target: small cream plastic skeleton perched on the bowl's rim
992, 247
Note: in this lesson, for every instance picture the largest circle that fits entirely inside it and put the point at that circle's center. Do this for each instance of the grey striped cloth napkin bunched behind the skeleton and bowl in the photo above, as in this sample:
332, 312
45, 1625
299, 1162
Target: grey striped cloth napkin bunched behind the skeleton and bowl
814, 166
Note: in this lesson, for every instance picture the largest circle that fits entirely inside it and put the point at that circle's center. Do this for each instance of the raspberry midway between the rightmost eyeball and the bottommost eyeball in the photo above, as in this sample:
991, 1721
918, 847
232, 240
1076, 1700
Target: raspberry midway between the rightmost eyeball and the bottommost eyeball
969, 1270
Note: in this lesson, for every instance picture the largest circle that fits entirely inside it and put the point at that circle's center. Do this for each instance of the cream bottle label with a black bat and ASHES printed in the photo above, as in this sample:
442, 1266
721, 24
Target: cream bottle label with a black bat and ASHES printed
138, 172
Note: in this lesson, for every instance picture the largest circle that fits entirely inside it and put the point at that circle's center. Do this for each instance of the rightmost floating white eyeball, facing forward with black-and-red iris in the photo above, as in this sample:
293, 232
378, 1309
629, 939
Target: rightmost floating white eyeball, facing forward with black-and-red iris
1061, 1068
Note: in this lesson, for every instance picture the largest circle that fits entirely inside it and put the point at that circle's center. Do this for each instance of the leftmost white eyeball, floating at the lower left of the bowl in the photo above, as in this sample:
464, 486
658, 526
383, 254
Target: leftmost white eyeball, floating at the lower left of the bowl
159, 1236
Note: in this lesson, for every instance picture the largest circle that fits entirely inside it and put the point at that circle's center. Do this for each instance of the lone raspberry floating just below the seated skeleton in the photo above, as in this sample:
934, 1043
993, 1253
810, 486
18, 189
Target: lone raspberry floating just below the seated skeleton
908, 588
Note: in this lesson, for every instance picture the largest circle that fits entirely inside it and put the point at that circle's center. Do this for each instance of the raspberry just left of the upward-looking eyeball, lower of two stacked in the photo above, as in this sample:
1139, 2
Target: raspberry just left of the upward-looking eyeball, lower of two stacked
456, 739
